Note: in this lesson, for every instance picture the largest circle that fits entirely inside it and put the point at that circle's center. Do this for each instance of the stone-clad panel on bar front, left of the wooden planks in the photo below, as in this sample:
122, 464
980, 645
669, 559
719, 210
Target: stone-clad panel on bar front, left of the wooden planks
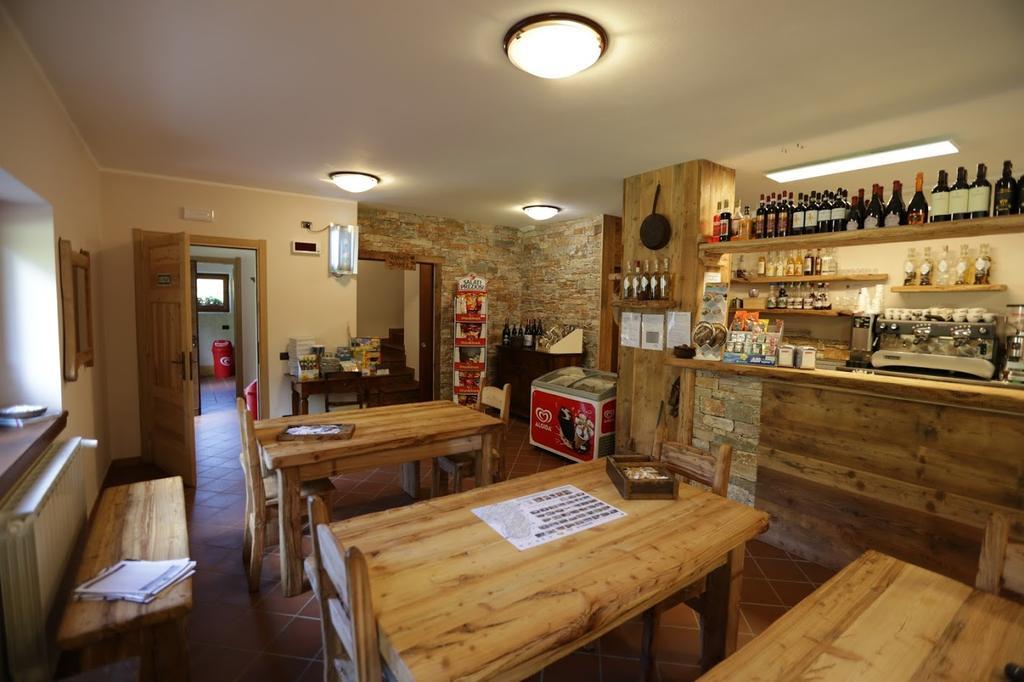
729, 410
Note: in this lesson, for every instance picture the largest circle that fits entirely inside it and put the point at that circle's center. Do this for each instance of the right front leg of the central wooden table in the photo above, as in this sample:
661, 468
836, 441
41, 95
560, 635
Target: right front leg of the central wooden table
720, 611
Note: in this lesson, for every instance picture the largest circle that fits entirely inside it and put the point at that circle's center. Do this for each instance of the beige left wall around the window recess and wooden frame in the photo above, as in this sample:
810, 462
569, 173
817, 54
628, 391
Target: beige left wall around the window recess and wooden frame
41, 149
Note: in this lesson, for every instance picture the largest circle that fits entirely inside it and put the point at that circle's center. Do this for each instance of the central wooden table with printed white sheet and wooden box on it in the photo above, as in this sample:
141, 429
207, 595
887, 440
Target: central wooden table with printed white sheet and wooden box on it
454, 601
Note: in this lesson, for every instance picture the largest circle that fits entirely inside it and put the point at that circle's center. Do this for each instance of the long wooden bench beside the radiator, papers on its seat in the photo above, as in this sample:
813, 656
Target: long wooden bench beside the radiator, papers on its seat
139, 522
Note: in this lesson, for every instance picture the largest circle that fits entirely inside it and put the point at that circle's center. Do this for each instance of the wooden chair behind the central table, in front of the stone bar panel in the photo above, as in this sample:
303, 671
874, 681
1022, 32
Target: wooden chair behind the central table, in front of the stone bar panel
708, 468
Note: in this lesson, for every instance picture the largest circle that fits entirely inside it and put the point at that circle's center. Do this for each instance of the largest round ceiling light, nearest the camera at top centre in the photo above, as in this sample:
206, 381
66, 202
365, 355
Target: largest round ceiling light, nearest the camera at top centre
556, 46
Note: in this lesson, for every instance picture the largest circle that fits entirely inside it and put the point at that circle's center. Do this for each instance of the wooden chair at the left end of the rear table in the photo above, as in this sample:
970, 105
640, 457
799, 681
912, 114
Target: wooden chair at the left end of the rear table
262, 499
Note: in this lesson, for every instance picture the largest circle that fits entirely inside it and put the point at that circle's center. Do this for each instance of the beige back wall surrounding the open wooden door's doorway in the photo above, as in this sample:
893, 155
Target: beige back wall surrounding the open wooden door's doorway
303, 300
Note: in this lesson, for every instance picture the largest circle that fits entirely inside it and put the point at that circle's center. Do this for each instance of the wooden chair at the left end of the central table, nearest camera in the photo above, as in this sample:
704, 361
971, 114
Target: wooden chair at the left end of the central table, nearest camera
349, 625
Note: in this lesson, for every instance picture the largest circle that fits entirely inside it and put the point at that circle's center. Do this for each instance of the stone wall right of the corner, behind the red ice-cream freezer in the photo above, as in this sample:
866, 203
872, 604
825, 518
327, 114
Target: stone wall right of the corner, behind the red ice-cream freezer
562, 277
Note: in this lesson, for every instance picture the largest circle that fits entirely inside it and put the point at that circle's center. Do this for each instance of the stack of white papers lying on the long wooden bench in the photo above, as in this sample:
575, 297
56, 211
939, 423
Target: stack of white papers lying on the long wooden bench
136, 581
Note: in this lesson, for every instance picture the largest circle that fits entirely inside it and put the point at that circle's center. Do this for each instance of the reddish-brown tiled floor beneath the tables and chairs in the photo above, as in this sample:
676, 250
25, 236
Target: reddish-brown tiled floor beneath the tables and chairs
238, 636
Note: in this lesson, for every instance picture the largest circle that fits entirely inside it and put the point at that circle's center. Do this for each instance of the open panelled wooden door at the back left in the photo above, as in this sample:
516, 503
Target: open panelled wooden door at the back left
164, 332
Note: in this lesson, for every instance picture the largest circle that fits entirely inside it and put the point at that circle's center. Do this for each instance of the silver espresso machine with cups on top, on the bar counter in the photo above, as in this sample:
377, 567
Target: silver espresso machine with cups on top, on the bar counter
951, 350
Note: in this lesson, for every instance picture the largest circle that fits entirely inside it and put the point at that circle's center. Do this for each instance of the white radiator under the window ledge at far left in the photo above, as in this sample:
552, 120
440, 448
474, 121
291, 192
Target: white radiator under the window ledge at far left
40, 522
